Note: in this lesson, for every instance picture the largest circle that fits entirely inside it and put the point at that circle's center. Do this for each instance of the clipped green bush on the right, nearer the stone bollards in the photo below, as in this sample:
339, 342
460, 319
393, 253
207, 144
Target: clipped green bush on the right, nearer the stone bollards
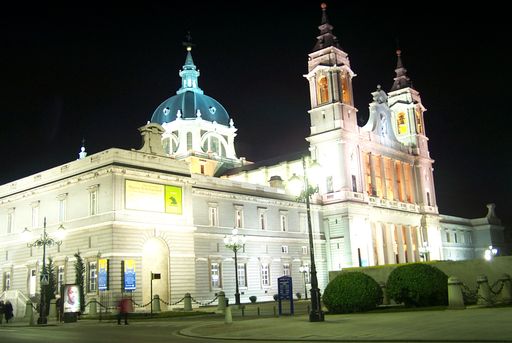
418, 284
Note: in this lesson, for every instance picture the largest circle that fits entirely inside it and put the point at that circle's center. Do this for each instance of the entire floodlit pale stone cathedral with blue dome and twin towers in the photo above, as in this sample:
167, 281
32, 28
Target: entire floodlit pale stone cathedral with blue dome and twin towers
162, 219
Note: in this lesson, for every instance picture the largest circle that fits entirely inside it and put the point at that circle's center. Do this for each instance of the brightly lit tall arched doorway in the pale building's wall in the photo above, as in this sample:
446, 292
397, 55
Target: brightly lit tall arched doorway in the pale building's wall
155, 259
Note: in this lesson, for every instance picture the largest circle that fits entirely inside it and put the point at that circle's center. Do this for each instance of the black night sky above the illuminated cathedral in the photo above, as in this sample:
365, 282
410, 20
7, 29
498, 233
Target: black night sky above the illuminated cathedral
99, 71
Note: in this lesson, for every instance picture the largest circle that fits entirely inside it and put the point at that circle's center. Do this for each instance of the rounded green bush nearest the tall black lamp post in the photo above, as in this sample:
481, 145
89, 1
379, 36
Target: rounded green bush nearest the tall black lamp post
352, 292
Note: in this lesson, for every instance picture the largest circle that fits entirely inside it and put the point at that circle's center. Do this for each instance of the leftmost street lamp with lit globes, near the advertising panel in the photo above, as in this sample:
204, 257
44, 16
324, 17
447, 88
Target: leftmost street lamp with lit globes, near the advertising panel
43, 241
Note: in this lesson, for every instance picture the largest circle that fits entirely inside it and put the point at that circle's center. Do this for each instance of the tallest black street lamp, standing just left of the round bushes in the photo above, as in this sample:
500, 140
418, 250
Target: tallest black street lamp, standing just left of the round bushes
316, 314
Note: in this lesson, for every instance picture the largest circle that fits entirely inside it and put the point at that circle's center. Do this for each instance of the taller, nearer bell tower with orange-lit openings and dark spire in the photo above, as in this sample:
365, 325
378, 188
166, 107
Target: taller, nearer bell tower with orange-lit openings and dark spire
332, 113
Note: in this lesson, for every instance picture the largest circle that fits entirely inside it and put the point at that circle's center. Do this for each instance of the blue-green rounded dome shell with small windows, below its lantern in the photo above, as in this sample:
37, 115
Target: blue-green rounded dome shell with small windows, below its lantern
188, 103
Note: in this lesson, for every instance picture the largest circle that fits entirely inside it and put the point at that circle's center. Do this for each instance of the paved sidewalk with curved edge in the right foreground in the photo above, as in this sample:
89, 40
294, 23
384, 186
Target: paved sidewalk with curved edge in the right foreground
469, 325
